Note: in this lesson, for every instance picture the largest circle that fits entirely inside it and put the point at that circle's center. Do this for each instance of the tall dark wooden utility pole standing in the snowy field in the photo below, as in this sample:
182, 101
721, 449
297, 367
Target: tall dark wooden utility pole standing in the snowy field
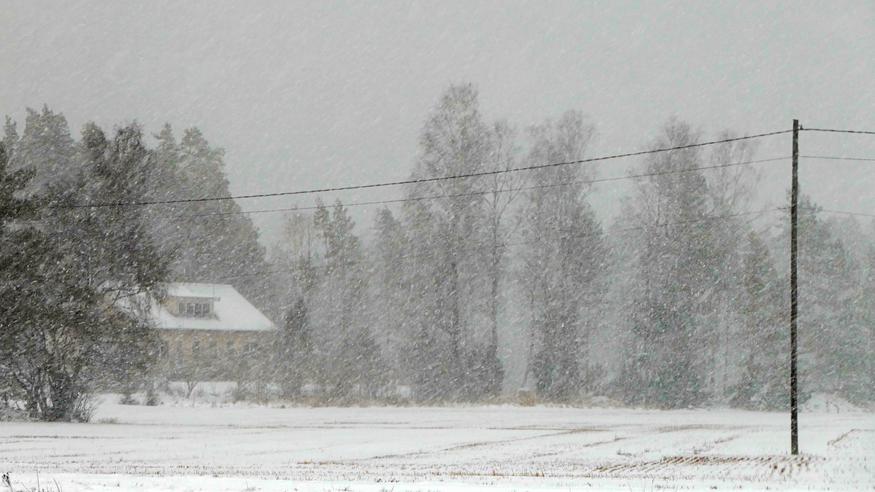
794, 292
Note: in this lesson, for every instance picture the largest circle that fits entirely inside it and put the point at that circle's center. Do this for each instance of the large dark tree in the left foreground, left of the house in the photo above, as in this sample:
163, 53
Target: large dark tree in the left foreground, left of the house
71, 323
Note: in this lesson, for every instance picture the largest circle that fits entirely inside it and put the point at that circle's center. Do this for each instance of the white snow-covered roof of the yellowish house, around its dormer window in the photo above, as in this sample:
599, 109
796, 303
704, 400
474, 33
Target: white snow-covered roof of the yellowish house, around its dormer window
231, 311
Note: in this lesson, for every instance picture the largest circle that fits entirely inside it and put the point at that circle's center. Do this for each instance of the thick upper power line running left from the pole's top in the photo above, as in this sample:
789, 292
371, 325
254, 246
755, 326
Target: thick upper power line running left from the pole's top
415, 180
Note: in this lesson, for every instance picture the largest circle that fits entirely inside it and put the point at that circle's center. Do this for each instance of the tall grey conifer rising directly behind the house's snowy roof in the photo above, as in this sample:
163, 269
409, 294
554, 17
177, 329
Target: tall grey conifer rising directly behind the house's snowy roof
209, 241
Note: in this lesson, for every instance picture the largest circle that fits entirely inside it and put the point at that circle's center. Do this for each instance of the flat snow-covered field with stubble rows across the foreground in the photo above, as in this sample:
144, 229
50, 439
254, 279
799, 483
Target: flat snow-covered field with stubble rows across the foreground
202, 448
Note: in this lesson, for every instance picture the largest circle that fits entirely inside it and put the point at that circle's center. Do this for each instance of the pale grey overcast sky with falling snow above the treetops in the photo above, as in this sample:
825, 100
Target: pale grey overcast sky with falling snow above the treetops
314, 94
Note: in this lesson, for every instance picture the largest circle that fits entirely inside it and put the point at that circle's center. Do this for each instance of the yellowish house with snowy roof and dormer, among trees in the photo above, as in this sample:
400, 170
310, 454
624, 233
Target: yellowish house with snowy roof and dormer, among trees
209, 327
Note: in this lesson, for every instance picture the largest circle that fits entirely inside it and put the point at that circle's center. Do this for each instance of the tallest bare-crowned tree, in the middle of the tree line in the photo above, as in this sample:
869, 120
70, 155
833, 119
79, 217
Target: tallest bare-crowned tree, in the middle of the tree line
447, 242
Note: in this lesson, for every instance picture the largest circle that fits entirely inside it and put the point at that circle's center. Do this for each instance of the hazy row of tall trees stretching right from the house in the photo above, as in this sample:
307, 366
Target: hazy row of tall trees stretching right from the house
681, 301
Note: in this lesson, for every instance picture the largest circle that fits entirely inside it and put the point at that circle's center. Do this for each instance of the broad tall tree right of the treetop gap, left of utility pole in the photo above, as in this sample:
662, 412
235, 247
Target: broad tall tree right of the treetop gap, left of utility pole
675, 276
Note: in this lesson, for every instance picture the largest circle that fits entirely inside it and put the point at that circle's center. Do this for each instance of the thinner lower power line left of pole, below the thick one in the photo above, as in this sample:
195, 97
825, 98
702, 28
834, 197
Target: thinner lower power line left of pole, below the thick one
487, 192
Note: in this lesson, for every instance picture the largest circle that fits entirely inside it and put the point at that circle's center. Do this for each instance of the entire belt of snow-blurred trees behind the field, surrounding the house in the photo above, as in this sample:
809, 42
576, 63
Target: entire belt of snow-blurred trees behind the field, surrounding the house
472, 289
